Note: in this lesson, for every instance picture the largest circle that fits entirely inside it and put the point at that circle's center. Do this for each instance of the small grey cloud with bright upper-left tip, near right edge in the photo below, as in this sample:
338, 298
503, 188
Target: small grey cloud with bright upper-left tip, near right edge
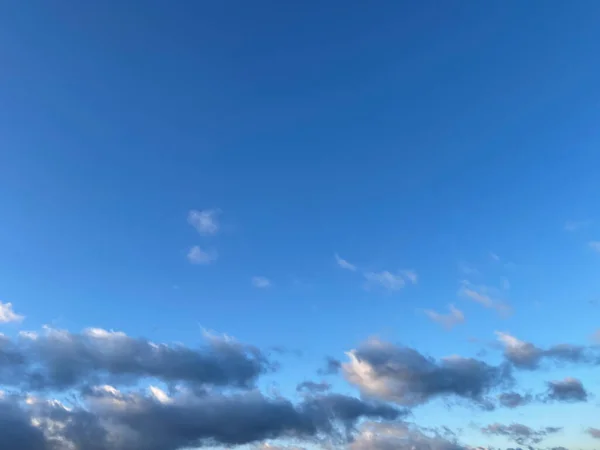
525, 355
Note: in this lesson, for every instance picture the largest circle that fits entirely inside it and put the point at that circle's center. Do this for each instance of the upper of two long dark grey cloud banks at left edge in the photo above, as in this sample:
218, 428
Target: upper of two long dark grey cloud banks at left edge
57, 359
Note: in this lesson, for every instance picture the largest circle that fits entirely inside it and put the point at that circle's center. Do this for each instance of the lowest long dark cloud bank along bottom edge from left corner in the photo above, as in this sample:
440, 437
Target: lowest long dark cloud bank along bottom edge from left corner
106, 418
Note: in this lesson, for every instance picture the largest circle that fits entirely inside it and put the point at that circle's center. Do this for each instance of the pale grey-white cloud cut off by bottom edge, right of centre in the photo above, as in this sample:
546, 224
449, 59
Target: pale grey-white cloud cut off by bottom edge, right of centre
402, 436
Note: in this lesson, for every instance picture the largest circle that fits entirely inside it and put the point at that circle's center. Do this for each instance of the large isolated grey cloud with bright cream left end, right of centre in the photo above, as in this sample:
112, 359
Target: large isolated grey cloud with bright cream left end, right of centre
404, 376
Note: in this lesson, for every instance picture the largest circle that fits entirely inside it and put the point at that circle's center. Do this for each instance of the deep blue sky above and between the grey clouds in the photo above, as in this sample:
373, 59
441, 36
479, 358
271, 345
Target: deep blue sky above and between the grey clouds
172, 168
